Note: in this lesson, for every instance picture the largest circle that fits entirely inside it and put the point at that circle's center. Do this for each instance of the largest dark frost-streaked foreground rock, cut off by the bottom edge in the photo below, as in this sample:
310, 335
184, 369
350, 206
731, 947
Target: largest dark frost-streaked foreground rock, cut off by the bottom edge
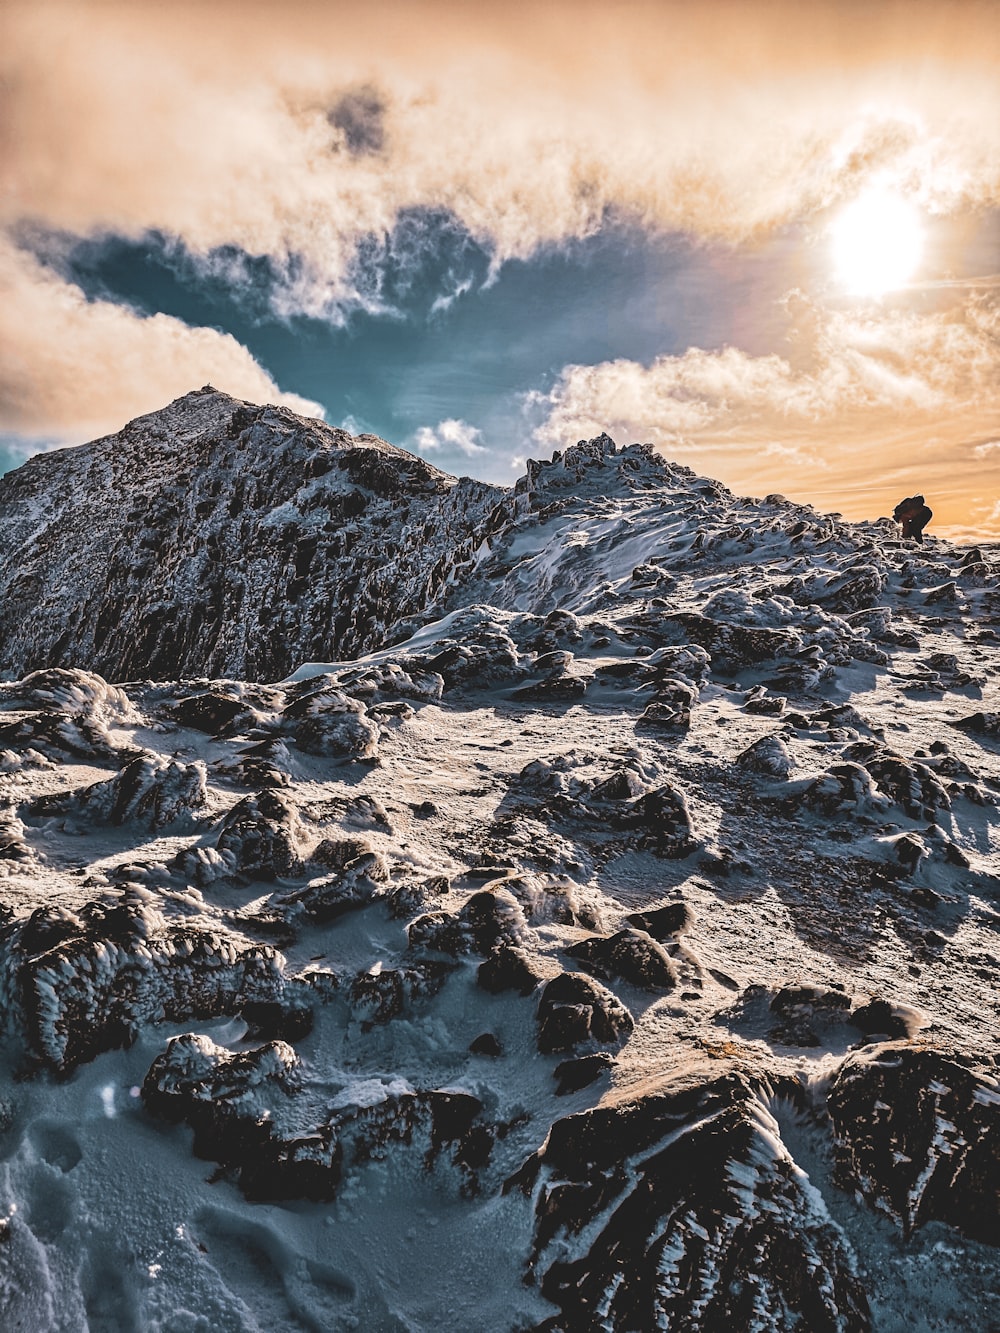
685, 1211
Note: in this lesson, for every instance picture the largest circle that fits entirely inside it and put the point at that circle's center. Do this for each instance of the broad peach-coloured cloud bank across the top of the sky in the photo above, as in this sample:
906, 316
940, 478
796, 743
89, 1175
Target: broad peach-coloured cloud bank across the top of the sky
297, 133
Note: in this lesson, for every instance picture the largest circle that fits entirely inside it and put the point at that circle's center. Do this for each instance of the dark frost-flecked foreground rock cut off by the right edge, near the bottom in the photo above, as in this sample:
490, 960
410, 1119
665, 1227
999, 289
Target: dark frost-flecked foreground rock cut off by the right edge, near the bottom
918, 1134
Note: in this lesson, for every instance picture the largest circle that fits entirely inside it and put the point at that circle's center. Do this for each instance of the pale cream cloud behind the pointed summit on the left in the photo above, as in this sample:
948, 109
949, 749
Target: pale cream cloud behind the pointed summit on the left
73, 370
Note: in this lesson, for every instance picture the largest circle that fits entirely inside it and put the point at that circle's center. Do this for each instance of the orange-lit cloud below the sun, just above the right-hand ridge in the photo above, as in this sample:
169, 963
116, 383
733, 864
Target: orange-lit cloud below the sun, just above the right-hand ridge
863, 407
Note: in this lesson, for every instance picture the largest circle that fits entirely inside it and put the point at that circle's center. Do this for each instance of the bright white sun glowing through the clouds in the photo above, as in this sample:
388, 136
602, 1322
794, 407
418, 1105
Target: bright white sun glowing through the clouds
878, 243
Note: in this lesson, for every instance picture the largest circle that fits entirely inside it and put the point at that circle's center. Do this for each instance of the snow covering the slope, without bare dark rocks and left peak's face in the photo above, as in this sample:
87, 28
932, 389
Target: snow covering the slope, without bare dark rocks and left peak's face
661, 585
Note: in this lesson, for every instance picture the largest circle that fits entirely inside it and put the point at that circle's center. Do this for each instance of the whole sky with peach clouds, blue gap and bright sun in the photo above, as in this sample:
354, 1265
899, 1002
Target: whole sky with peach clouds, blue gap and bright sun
763, 237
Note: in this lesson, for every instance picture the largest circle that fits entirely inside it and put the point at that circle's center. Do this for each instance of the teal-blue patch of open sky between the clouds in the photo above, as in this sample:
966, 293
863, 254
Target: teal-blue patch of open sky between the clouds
438, 335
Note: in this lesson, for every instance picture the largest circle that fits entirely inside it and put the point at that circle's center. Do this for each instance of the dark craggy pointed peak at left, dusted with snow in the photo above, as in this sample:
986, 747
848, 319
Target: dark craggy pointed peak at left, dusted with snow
222, 539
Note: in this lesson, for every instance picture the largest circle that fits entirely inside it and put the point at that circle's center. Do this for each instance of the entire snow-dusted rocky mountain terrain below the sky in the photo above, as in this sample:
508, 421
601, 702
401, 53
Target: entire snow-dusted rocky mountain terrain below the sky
611, 946
